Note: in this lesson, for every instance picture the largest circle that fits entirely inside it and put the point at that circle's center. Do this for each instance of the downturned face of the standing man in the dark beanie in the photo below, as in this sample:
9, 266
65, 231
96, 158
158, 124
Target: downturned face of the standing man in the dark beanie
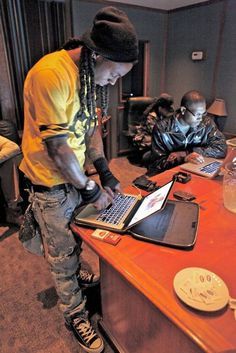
108, 72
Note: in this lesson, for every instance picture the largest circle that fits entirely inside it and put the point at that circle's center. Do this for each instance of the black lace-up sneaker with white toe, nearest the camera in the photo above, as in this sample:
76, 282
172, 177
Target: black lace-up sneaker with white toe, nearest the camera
87, 337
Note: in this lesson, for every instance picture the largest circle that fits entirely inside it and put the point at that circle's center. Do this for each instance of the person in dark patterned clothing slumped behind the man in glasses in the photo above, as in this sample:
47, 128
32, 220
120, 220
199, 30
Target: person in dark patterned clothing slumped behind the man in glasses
158, 110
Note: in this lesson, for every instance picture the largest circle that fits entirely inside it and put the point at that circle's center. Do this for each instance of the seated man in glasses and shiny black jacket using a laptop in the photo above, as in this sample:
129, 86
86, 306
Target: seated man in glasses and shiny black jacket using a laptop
187, 136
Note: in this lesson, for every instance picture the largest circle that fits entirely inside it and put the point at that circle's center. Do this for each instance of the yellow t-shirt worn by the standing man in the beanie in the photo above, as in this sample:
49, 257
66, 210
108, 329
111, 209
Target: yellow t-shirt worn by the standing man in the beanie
51, 104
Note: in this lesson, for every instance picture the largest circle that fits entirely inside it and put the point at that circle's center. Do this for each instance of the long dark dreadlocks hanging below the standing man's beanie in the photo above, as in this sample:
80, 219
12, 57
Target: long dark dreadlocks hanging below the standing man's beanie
89, 92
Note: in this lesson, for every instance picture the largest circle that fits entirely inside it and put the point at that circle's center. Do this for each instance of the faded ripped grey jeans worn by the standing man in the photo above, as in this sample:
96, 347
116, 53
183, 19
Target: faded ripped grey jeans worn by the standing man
53, 211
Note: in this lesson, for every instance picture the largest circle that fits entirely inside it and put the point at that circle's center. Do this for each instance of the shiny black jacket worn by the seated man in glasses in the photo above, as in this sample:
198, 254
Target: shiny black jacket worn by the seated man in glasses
167, 137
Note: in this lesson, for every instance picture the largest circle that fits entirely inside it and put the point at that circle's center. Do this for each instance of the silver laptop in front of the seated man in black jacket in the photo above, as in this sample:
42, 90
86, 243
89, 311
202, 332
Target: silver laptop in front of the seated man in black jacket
211, 167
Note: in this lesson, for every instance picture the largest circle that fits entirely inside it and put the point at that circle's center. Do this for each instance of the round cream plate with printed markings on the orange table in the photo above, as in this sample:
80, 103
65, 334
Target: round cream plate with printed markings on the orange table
201, 289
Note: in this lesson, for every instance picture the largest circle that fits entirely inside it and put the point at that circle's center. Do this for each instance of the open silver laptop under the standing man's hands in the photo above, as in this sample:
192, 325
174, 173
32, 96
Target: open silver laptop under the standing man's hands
126, 211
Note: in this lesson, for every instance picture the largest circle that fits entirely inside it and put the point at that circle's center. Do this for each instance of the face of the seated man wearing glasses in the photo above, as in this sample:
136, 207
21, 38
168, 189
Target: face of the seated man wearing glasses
194, 113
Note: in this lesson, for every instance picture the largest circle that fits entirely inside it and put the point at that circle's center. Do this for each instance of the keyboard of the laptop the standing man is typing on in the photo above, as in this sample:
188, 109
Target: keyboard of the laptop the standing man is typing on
113, 214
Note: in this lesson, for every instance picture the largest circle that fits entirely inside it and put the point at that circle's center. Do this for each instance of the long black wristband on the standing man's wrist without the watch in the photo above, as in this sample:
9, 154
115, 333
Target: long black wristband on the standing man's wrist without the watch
106, 176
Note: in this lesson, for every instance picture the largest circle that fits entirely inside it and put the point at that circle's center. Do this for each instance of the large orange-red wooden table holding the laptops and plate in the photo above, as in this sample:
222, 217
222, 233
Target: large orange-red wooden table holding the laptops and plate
141, 312
